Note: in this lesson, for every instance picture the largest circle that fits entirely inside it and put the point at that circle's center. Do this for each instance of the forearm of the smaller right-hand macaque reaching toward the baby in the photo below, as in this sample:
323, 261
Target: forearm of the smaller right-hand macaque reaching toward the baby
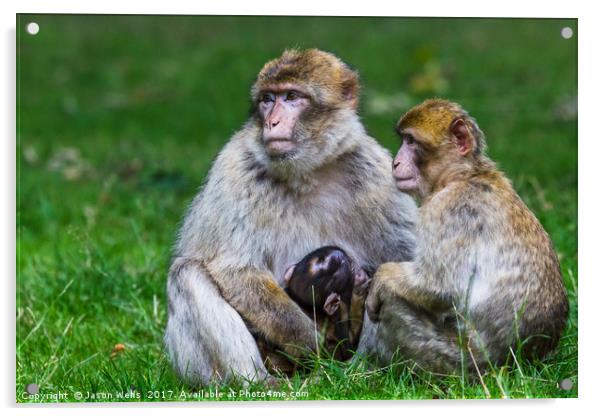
399, 280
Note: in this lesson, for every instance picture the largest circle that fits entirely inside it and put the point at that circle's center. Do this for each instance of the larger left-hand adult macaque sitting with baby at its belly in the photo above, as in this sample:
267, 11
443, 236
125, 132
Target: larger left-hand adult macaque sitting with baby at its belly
301, 173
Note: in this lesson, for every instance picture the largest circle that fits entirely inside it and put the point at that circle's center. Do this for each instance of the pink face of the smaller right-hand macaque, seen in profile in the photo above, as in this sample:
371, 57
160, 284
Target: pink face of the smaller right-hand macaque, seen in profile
405, 169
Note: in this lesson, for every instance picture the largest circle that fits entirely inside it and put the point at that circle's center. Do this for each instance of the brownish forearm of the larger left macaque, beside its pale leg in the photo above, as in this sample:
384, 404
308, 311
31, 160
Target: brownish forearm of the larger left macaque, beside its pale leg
257, 297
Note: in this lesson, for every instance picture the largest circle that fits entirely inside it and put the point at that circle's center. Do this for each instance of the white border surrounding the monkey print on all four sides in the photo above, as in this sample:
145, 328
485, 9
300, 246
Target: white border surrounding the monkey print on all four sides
588, 33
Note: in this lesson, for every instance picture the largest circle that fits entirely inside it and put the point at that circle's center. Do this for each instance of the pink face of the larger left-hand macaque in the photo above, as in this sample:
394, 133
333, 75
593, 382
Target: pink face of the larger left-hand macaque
280, 109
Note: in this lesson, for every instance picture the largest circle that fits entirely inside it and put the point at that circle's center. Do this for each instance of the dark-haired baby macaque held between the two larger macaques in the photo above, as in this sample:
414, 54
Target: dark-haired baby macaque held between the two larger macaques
328, 282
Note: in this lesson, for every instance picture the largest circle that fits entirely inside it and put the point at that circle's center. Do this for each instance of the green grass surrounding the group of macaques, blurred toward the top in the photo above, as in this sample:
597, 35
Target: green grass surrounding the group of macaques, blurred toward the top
119, 118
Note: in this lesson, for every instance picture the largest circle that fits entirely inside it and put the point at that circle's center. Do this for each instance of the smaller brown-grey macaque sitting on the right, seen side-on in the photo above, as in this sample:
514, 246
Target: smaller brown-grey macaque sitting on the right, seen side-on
485, 278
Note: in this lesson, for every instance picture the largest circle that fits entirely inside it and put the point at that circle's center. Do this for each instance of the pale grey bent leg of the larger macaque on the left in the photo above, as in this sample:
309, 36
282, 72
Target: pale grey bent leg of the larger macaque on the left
206, 338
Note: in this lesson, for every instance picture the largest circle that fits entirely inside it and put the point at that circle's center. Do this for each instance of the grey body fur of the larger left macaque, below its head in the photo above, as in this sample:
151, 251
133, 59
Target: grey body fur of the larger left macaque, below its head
256, 216
